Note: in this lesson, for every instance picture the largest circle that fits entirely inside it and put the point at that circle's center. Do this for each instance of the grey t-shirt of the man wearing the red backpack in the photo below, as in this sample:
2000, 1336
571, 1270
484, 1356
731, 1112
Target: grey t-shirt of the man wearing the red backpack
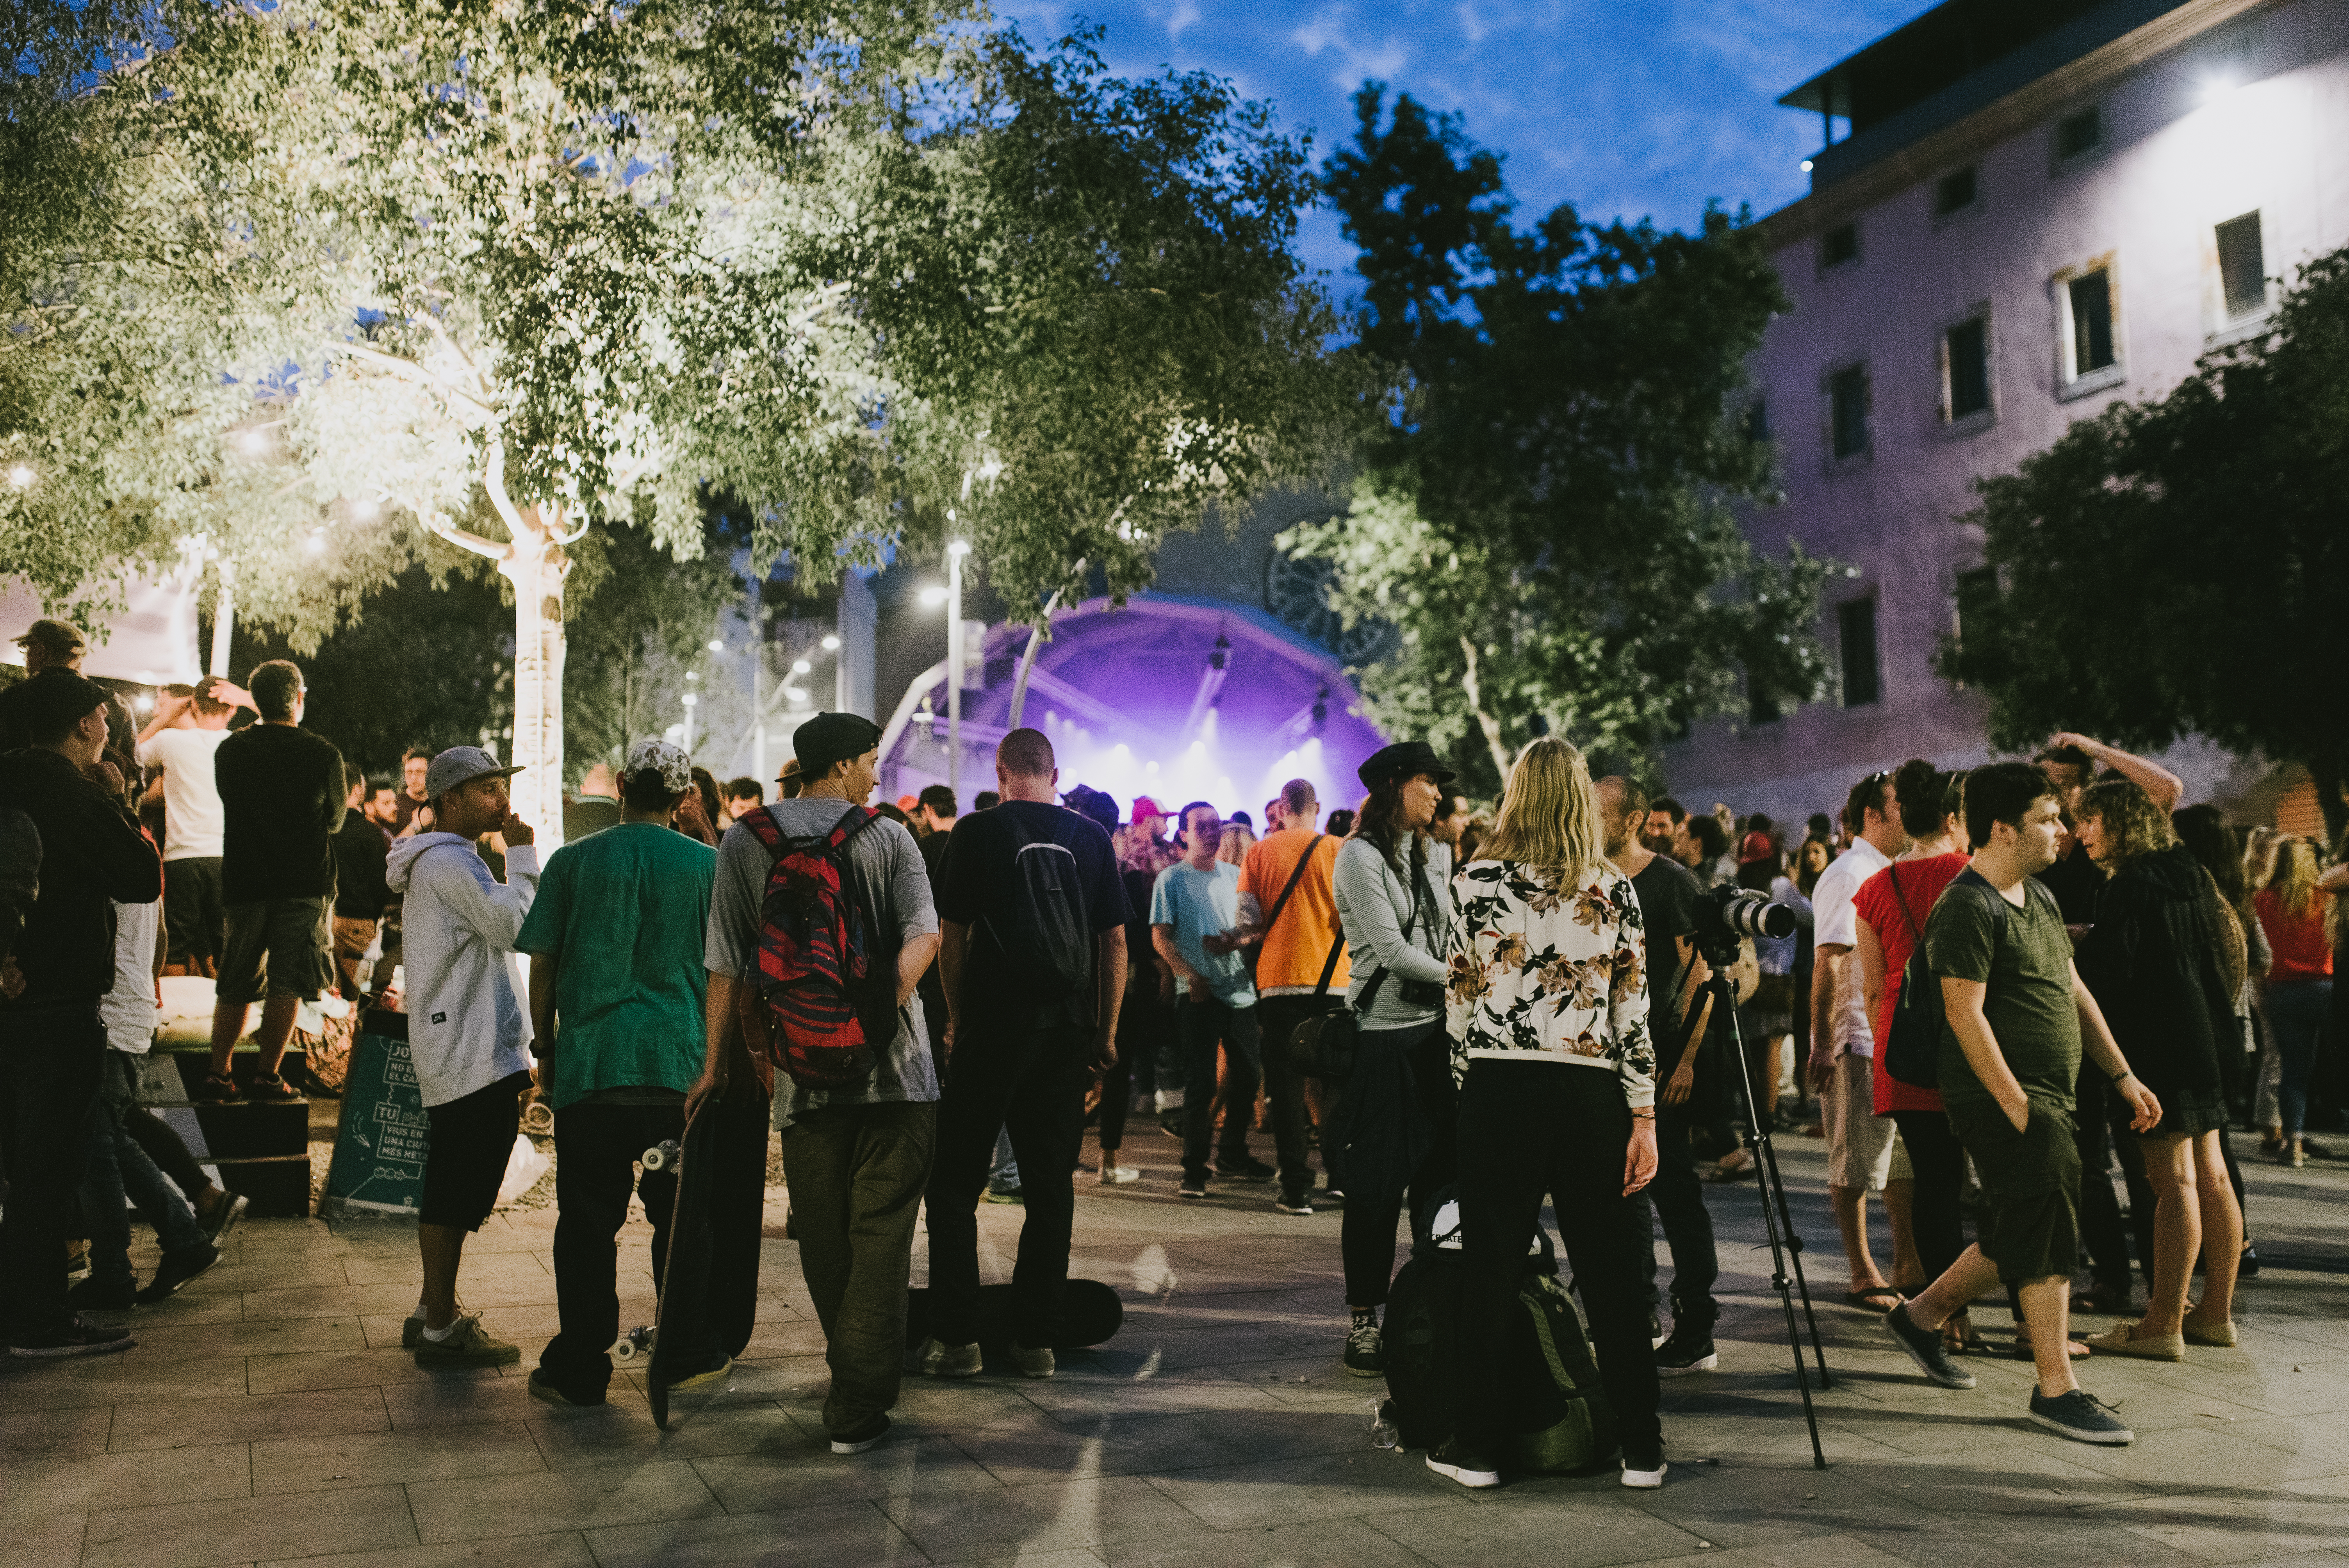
889, 884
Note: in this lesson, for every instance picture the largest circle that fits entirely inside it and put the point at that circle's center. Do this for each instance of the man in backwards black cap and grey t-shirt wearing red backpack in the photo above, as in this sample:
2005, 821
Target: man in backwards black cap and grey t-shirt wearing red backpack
859, 1156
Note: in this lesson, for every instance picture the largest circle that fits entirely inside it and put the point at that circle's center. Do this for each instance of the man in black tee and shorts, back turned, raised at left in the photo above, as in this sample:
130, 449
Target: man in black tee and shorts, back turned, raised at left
281, 806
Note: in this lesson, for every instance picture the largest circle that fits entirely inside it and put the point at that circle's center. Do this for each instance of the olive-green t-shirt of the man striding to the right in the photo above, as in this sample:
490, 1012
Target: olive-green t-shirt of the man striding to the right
2028, 968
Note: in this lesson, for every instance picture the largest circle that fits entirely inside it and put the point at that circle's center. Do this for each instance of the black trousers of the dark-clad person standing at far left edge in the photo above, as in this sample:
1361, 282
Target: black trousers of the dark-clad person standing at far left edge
51, 1065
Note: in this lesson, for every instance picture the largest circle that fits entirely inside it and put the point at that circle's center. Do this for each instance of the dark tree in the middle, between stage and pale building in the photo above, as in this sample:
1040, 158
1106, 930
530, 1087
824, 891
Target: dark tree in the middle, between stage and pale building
1547, 511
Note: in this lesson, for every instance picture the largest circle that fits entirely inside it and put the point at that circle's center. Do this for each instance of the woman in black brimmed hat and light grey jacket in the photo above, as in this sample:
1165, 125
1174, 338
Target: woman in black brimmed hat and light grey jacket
1394, 1114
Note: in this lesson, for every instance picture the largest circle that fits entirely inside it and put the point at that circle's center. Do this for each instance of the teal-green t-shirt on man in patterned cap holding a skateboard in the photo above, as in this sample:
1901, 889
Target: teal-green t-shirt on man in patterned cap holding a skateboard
626, 912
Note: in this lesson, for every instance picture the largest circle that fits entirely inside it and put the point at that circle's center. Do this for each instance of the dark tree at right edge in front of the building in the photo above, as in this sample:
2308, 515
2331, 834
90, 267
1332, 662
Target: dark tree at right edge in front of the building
2179, 567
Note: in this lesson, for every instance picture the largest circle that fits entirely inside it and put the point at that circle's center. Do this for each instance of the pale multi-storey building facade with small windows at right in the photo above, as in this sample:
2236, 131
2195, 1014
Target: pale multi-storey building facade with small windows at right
2031, 212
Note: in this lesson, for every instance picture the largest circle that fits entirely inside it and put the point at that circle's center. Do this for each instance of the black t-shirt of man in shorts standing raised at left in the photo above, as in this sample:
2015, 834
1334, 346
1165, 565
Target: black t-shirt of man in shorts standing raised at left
281, 804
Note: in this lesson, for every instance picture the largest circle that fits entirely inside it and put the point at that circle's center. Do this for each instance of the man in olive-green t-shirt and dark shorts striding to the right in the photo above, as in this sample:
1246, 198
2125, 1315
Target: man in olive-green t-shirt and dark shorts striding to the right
2017, 1022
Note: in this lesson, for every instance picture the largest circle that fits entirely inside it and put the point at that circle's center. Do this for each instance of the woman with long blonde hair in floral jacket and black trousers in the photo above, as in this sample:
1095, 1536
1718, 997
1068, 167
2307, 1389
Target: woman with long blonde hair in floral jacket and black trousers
1556, 1069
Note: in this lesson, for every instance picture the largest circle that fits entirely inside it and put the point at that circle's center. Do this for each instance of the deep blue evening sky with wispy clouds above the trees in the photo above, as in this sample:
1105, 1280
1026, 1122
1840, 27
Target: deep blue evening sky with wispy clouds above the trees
1622, 109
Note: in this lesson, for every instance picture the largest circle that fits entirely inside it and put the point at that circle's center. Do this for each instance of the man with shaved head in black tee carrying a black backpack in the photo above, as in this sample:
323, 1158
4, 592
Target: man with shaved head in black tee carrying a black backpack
1016, 1060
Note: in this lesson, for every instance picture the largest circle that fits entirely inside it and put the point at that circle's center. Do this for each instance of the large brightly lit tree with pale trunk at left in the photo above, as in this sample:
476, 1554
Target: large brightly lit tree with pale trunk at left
511, 271
